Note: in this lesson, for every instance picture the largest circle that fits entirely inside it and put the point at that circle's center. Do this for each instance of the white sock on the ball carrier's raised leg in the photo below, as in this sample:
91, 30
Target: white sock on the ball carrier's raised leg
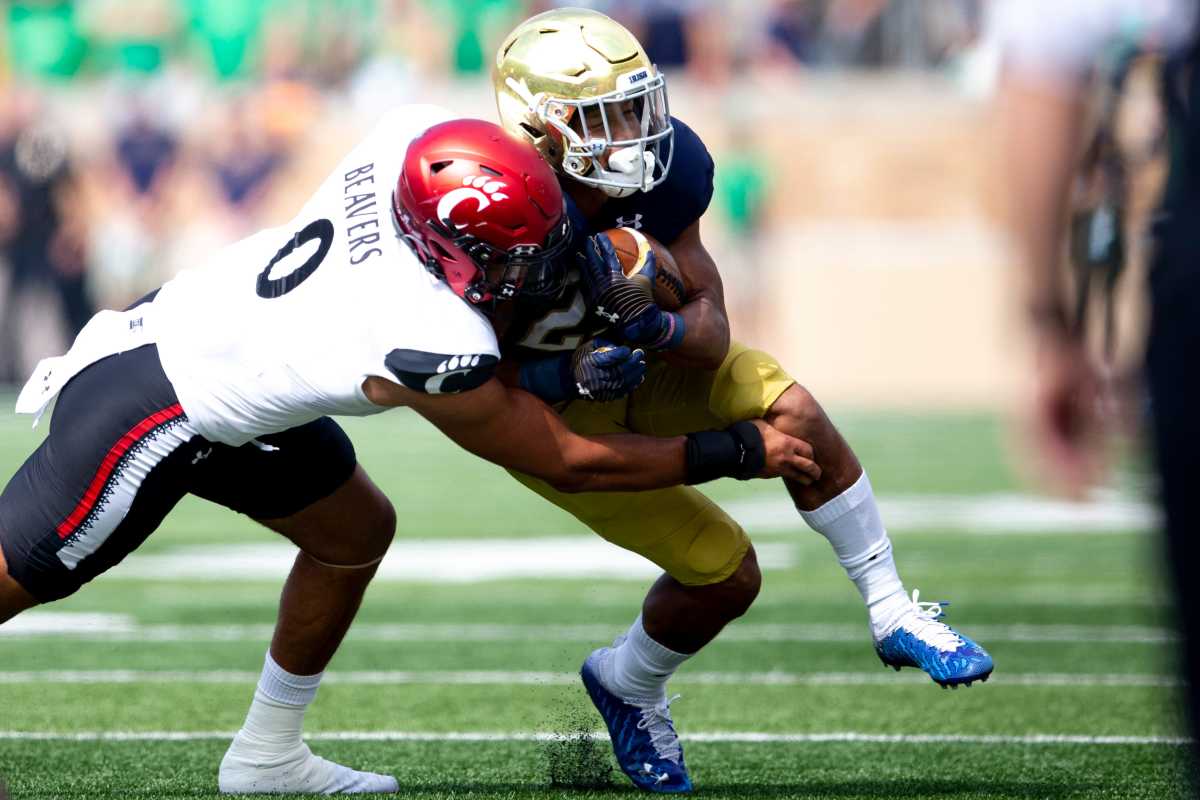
853, 525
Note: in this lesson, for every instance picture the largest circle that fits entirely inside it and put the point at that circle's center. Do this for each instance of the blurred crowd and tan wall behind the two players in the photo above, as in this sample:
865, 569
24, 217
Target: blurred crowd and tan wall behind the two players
139, 136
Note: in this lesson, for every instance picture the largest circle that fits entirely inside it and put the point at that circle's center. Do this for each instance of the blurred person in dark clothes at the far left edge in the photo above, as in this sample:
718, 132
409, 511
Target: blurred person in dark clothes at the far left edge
39, 240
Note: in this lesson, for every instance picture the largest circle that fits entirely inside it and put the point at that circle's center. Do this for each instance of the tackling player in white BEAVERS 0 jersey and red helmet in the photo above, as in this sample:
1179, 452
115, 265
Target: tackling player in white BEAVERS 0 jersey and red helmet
221, 386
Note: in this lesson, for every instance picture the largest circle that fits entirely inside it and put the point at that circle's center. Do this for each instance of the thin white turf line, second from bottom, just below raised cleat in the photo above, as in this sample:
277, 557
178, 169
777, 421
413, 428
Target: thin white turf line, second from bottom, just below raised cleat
508, 678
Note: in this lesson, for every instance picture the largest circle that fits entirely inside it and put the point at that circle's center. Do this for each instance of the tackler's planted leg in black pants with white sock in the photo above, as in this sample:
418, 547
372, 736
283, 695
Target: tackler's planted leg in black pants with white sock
307, 485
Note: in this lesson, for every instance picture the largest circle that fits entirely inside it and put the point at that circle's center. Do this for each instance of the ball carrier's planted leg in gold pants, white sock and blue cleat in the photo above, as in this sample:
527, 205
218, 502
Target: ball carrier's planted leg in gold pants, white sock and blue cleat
712, 578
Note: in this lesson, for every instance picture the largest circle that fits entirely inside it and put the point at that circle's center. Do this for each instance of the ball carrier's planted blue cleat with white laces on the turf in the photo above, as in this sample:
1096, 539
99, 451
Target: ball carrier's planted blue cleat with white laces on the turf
644, 737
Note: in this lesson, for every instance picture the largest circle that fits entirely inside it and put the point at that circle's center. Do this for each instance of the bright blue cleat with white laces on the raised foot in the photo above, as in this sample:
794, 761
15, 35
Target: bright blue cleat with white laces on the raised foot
921, 640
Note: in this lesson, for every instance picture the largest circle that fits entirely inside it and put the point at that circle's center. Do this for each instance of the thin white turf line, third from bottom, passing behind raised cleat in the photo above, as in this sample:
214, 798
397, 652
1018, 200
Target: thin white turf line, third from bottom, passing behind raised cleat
123, 628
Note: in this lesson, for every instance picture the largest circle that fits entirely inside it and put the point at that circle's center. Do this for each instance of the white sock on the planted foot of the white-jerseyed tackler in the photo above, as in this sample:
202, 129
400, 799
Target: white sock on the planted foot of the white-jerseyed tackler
268, 756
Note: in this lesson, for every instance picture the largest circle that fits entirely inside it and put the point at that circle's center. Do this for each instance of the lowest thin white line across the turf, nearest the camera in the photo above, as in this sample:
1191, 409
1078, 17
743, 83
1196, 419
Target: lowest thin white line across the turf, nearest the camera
706, 737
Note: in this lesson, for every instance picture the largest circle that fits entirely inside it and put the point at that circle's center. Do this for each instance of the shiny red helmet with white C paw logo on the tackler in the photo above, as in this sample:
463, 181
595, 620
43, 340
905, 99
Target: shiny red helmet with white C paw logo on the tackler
483, 212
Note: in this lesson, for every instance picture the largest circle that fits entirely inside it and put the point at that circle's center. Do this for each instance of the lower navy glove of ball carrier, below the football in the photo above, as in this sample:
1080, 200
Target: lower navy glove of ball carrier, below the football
597, 371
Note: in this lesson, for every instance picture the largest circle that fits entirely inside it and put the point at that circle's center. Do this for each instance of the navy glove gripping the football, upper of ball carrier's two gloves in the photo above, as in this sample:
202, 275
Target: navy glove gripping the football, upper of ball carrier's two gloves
622, 304
